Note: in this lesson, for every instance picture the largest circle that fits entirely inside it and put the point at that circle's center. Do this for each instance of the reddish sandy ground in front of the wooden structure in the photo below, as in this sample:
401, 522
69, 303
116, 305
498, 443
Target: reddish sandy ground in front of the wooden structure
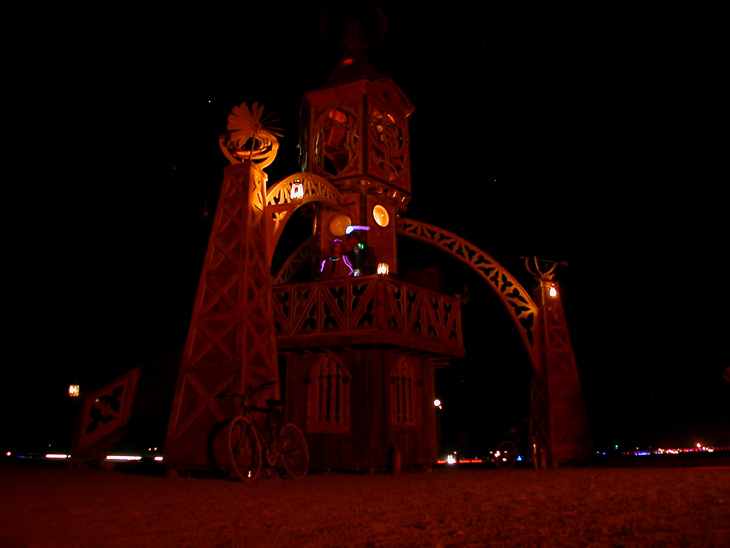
678, 506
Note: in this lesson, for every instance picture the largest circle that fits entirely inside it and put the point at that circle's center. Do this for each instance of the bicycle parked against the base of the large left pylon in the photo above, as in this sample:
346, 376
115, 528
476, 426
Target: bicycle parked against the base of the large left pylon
283, 447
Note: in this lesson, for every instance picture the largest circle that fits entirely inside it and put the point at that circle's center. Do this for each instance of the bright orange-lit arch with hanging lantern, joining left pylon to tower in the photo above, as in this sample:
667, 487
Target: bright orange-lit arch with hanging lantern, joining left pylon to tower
289, 194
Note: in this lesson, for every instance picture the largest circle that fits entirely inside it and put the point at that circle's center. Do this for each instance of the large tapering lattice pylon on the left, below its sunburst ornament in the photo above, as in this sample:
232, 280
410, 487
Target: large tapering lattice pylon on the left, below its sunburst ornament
231, 340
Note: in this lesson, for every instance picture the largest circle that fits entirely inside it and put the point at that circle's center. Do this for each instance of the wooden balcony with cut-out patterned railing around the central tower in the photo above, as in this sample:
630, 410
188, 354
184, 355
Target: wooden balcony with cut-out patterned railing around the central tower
367, 311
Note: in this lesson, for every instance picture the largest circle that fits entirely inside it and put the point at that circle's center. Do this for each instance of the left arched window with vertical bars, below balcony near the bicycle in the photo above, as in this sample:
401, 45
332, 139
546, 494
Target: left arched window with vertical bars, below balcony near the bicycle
328, 397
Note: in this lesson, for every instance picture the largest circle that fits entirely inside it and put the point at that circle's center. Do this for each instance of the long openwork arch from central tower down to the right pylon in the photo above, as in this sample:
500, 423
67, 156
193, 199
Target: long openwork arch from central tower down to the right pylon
522, 309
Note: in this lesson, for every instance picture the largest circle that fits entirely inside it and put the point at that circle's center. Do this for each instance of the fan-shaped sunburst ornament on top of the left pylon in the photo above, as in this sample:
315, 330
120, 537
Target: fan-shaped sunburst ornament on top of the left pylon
249, 138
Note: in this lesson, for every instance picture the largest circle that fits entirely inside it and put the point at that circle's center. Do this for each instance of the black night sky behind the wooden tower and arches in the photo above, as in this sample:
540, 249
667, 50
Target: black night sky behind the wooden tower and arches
548, 134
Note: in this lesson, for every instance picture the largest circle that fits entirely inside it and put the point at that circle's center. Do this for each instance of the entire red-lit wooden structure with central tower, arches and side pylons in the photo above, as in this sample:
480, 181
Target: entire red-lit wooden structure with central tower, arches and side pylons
354, 356
